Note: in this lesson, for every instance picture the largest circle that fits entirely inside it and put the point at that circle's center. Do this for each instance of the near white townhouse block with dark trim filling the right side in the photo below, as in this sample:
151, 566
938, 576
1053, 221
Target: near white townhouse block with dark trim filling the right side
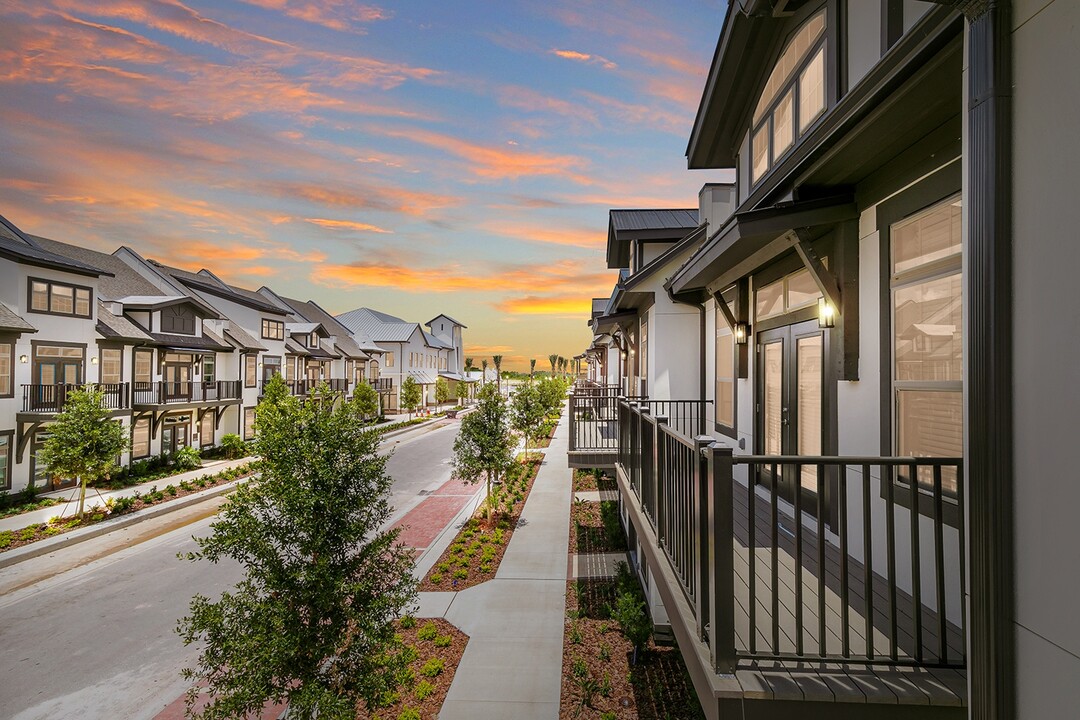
865, 512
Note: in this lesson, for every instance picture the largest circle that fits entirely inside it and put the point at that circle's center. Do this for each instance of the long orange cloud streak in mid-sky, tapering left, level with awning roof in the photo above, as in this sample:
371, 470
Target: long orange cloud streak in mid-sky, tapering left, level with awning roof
497, 164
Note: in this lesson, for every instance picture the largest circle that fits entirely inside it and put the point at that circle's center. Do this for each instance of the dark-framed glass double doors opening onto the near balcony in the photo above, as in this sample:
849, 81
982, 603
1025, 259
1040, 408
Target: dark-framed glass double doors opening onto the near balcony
792, 402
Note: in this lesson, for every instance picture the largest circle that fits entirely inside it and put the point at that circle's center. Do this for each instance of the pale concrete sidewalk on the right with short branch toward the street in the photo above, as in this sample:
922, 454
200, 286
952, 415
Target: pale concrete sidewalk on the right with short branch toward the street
514, 664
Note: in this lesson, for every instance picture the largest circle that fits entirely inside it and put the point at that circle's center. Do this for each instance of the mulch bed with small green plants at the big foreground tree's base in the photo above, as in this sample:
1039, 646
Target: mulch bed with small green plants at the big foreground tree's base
423, 688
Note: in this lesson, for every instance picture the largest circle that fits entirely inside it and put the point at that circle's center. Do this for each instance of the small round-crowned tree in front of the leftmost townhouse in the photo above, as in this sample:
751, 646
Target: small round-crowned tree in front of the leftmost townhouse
84, 442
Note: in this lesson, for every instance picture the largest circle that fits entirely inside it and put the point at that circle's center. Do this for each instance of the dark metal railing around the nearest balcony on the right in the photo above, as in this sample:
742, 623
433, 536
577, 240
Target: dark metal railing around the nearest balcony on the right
861, 563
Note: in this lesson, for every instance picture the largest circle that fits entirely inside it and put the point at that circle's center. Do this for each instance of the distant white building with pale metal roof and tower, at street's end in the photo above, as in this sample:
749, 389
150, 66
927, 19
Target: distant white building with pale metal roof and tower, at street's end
411, 351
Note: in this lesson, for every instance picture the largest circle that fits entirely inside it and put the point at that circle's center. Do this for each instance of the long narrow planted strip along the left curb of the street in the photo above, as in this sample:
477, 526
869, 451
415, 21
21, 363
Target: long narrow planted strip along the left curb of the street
98, 513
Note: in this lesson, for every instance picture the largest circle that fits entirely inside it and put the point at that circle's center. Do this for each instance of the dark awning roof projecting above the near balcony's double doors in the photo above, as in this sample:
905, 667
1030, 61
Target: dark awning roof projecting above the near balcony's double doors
751, 239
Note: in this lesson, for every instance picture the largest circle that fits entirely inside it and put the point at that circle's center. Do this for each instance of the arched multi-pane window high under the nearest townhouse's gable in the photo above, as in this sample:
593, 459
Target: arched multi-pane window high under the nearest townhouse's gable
793, 98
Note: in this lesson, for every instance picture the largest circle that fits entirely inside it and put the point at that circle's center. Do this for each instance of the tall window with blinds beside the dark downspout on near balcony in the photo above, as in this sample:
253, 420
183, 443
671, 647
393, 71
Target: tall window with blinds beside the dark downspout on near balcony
928, 337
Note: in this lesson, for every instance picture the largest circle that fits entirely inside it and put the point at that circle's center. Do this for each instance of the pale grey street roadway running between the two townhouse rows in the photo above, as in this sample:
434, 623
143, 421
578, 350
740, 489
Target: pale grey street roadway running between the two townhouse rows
99, 642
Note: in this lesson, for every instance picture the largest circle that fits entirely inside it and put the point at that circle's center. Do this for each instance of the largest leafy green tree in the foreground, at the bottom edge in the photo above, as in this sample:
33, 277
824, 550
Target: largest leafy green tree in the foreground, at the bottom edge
312, 622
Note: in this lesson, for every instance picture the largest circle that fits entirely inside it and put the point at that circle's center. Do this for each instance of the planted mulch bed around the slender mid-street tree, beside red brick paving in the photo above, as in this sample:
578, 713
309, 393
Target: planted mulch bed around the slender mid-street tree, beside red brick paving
478, 550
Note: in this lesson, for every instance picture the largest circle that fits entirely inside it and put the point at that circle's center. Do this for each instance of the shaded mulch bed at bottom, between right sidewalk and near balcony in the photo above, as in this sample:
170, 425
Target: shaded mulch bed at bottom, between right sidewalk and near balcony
599, 681
